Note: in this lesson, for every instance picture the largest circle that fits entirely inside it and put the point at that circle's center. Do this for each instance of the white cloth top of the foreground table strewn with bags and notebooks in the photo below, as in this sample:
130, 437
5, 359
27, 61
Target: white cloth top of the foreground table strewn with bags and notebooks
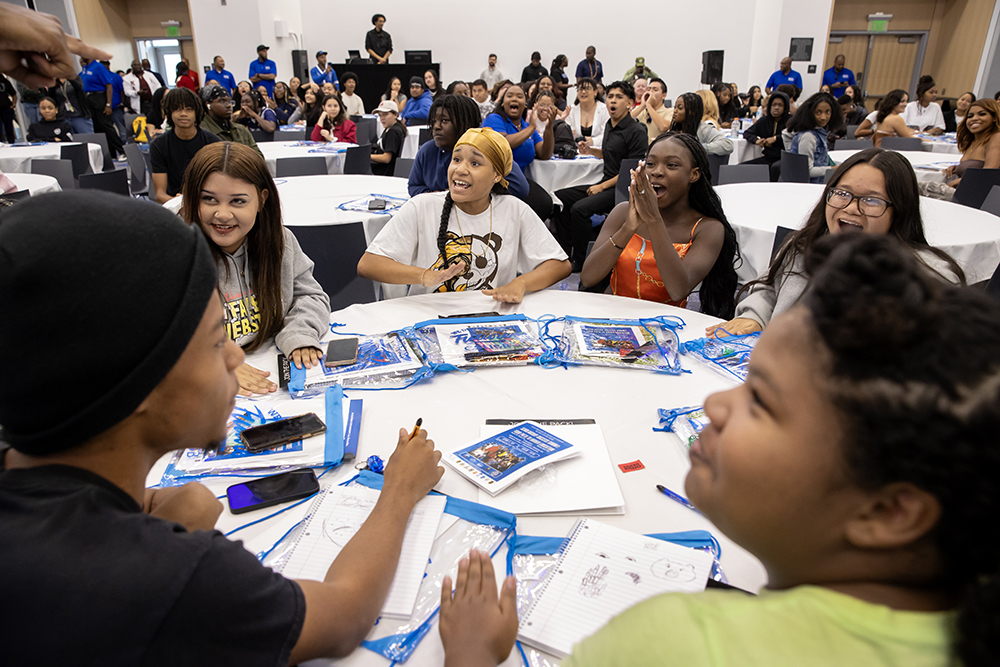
455, 405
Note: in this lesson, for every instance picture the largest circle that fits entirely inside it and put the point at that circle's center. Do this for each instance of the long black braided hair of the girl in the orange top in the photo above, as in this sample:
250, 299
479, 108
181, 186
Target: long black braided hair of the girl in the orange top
719, 286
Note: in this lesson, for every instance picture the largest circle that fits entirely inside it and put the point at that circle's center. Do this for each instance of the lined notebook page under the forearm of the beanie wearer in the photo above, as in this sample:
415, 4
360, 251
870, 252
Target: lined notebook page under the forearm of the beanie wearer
336, 519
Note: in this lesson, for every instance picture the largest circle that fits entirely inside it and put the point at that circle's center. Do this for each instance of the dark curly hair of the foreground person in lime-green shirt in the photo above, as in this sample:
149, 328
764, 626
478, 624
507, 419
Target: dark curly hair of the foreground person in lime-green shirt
912, 365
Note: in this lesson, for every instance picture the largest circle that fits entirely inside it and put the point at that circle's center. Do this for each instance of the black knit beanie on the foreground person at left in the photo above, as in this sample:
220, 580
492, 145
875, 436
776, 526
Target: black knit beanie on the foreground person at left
99, 297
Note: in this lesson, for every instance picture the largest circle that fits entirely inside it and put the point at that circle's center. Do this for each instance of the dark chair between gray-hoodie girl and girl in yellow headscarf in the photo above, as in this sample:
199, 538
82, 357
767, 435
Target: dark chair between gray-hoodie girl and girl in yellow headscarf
336, 250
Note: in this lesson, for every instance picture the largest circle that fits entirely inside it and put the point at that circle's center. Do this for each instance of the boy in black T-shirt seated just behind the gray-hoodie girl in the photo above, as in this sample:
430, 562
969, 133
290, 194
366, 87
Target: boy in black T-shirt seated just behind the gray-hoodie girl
171, 152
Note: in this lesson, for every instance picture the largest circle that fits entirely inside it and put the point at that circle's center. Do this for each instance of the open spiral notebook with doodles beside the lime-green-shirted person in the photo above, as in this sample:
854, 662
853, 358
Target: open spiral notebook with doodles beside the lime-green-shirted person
601, 572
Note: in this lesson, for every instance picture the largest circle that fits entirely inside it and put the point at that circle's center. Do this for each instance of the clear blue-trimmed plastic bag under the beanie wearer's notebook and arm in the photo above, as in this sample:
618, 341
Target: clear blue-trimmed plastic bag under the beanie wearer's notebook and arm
473, 526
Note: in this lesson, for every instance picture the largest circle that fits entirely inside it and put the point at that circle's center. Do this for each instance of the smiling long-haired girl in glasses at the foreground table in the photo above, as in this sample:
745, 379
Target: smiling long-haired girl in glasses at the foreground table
875, 192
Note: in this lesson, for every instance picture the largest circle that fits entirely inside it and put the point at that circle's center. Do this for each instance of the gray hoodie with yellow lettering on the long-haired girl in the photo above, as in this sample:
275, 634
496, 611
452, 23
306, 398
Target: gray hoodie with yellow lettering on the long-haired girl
305, 304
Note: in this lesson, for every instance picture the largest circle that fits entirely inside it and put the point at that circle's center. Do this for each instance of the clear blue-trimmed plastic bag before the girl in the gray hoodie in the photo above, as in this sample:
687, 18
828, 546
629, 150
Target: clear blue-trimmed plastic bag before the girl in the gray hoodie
384, 361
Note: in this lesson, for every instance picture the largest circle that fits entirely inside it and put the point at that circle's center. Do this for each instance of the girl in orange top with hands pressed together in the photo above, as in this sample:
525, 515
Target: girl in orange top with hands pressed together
671, 235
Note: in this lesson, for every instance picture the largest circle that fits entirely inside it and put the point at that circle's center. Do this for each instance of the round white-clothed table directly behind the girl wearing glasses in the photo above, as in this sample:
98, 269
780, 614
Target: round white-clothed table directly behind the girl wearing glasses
755, 210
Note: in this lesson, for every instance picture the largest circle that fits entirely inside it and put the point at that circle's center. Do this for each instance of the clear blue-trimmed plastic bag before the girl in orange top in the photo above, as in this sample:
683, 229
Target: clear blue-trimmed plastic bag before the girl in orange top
649, 344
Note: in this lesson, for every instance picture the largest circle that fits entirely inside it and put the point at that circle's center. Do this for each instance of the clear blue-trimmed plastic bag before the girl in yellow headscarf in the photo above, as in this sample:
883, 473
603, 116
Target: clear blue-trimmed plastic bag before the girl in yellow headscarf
506, 340
